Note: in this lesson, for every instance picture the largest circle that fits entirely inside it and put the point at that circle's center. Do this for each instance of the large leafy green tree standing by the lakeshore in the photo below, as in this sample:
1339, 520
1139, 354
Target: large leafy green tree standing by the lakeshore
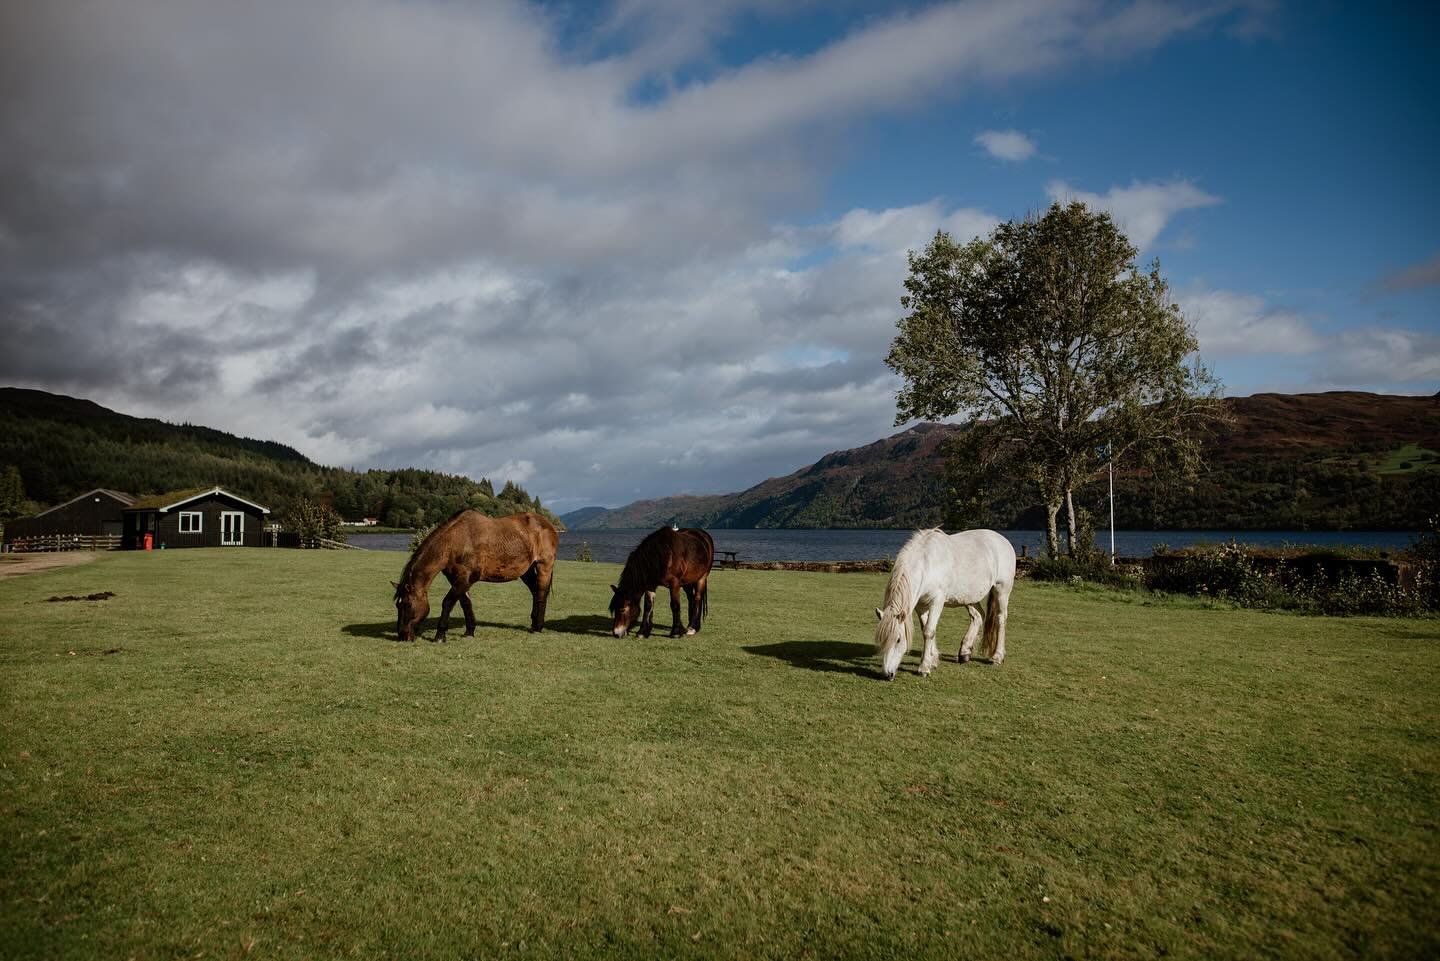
1059, 349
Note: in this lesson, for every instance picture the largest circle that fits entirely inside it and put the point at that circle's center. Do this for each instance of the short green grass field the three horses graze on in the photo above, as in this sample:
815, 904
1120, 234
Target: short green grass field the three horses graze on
233, 759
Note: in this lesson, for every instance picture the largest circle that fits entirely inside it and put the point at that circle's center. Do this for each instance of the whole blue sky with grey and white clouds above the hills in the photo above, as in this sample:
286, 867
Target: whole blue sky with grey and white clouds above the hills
642, 249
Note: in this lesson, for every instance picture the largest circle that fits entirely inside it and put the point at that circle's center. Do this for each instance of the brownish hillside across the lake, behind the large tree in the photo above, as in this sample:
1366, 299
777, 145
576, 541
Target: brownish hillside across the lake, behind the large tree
1341, 460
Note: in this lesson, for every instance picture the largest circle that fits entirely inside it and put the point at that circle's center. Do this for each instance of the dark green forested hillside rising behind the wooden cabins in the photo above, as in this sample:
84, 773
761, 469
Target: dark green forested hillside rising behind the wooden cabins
66, 446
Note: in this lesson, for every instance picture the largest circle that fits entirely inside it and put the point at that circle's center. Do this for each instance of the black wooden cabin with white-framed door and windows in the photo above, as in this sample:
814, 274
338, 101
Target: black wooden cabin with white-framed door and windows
199, 518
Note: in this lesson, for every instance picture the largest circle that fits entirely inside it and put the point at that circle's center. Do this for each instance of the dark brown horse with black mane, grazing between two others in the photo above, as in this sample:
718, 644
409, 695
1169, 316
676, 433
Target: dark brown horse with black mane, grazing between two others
676, 560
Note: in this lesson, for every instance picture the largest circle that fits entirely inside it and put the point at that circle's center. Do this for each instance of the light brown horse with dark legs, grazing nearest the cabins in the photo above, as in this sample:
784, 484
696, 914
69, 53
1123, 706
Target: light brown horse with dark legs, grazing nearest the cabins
469, 548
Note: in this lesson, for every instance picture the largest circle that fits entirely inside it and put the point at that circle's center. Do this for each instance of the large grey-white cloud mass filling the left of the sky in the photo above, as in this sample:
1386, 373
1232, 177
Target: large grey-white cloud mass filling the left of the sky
525, 241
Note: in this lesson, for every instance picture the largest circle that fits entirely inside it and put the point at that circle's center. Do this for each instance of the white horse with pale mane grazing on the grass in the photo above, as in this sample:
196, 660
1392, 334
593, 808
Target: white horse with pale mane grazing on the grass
937, 570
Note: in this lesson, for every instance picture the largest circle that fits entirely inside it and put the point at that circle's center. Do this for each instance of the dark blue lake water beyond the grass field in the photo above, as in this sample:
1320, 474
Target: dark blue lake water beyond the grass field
873, 545
